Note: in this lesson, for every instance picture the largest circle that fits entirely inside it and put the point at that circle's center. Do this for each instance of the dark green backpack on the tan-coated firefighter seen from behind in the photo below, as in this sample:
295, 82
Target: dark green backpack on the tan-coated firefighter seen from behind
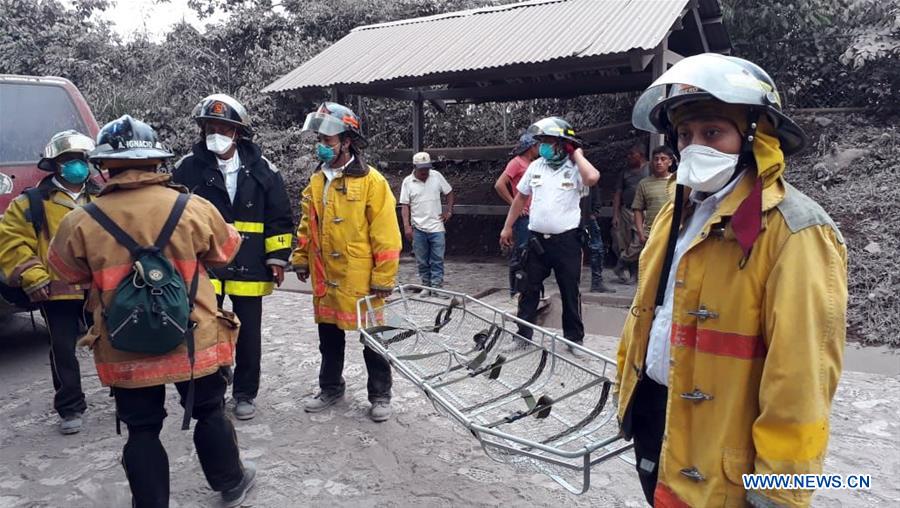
151, 308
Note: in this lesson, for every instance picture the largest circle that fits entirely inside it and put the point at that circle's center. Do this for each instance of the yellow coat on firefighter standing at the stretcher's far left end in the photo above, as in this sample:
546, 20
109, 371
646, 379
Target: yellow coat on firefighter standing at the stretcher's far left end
350, 246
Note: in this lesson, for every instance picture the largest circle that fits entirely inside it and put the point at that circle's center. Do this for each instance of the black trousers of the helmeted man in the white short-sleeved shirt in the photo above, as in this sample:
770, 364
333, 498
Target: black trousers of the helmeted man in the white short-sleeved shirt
562, 254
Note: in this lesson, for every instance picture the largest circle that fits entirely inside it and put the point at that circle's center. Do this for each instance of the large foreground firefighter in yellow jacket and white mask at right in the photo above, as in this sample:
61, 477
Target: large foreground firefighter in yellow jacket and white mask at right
732, 351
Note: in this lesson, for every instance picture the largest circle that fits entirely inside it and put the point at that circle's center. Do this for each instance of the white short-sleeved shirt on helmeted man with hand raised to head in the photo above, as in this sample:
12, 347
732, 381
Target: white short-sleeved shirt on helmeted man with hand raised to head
555, 196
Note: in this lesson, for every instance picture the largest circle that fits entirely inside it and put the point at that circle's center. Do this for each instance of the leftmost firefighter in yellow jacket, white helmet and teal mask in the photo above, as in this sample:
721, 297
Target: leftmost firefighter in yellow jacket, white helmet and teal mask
25, 233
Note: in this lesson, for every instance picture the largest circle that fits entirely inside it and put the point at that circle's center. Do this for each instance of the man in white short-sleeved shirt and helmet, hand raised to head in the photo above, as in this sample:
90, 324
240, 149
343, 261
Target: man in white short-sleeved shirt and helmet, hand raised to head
555, 182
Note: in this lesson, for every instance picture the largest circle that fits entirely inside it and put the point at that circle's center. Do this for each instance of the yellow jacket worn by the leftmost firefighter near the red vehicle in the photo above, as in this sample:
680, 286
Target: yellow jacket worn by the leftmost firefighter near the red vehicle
23, 253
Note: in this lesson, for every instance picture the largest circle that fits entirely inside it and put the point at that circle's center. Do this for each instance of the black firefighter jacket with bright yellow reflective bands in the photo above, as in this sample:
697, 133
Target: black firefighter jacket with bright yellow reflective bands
261, 213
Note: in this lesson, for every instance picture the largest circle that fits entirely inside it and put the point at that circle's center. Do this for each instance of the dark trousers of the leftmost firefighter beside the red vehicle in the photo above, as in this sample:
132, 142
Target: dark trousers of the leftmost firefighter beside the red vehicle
64, 321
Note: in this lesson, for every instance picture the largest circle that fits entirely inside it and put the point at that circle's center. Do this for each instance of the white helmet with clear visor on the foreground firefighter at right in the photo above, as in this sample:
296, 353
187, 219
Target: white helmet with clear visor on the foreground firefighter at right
713, 76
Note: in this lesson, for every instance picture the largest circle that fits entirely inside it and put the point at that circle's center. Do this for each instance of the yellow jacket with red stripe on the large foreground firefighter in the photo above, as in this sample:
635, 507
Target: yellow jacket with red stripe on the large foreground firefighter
756, 351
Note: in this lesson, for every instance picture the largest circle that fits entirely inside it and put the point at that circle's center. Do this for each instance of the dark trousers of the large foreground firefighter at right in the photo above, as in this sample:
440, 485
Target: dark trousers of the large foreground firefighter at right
648, 424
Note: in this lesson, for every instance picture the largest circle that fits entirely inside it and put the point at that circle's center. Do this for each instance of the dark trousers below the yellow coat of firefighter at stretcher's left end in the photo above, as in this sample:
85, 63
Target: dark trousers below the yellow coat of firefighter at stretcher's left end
331, 345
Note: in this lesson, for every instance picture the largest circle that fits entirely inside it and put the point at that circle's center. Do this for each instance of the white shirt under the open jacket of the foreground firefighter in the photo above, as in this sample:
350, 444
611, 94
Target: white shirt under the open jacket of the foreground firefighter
660, 348
